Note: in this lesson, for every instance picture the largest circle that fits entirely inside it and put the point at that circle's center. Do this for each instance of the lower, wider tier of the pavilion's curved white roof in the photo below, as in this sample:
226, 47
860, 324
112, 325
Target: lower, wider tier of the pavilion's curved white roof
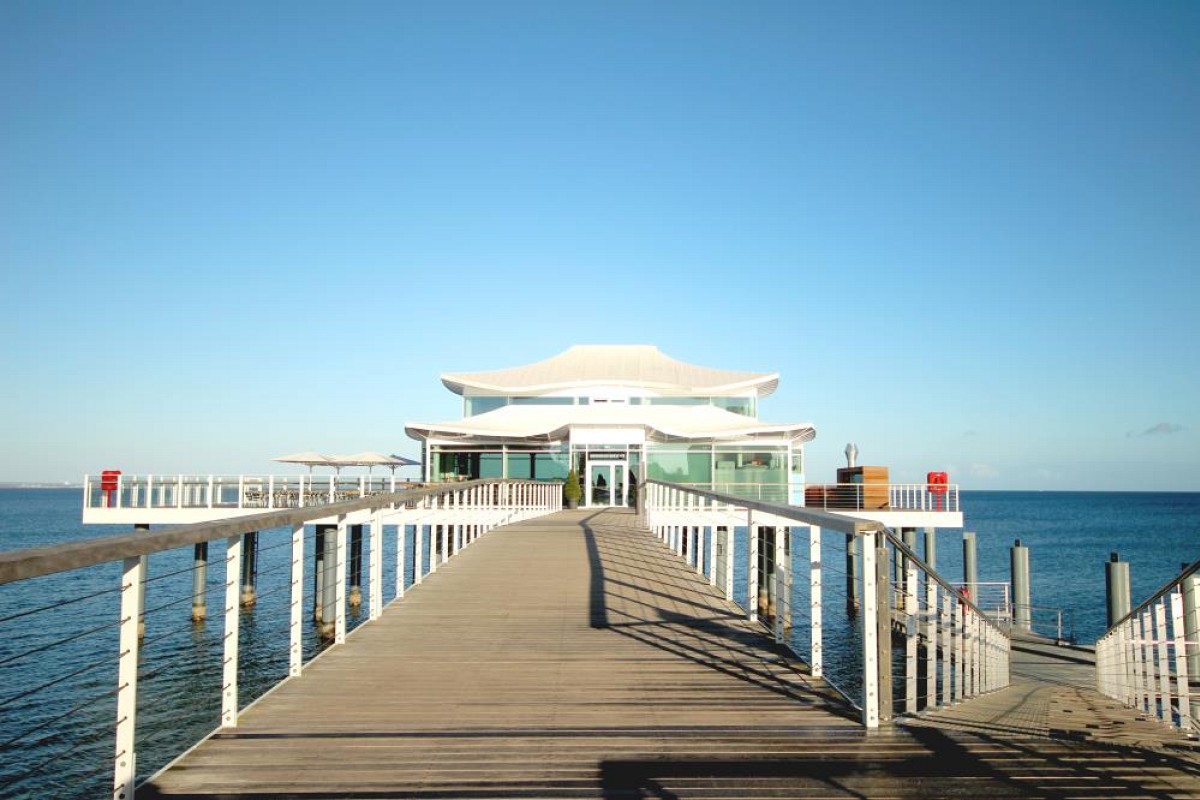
554, 423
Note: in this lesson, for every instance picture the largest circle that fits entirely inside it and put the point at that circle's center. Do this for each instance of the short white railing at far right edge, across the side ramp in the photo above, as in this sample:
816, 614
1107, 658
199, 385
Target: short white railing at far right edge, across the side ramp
1150, 660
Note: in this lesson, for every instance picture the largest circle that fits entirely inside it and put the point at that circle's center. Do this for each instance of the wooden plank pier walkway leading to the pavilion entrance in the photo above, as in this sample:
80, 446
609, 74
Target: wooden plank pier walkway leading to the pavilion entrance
574, 657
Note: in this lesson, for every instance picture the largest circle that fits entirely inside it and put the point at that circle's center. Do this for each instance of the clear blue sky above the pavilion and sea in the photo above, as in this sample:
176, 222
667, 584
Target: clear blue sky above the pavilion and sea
968, 236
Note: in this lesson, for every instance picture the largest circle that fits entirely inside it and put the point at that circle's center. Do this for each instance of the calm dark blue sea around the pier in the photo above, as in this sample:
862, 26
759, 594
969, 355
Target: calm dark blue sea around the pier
69, 745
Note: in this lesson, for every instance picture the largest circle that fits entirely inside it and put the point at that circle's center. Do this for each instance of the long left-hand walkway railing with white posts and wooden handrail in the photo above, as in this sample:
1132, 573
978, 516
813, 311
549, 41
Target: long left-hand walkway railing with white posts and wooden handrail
44, 720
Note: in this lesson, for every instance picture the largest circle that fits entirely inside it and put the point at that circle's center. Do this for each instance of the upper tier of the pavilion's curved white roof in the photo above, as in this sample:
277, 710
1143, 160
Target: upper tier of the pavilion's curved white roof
641, 366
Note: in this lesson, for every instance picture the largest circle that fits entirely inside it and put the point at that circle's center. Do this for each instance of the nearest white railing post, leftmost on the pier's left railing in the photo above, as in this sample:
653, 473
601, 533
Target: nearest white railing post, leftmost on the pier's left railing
125, 763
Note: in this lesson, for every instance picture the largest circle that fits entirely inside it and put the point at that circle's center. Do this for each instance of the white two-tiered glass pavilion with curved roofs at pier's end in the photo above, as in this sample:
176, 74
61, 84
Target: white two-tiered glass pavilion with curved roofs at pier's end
619, 414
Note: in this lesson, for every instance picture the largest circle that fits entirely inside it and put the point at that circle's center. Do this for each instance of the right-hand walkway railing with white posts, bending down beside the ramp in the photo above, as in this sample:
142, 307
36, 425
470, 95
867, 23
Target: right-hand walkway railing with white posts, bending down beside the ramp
952, 651
